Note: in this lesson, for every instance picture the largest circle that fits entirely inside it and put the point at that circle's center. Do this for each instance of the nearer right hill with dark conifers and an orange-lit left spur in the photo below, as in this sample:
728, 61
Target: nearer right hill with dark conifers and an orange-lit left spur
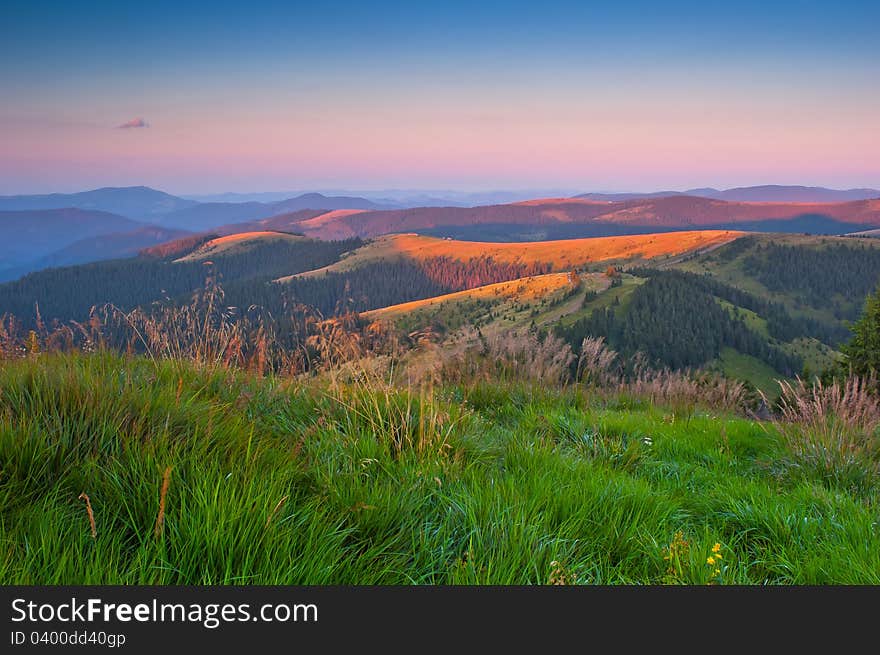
756, 308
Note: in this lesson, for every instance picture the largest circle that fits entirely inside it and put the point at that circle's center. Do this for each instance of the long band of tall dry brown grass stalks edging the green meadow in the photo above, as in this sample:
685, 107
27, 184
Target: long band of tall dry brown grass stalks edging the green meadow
345, 349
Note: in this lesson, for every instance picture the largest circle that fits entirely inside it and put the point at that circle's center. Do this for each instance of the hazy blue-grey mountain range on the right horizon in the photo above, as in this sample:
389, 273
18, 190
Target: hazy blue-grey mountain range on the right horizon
766, 193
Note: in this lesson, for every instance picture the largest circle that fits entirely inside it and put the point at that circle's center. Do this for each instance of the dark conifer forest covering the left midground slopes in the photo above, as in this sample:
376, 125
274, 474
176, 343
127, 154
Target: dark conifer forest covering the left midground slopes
247, 280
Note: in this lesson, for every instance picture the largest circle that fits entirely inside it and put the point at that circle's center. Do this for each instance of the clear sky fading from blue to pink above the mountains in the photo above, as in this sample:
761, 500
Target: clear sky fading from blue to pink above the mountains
194, 97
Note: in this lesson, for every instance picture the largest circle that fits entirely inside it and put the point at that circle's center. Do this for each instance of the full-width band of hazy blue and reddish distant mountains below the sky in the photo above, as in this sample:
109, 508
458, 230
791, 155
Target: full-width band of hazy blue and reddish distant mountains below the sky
58, 229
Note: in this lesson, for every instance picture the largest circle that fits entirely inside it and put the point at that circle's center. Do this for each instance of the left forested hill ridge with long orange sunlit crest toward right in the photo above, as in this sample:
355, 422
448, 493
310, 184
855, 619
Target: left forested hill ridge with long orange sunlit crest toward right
387, 271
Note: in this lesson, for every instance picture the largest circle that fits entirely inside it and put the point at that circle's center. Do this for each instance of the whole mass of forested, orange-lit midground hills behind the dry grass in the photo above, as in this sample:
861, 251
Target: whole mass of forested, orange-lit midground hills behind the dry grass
754, 306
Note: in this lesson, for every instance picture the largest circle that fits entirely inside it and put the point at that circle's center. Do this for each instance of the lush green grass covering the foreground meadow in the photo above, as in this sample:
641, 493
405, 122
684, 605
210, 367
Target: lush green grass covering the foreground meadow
272, 482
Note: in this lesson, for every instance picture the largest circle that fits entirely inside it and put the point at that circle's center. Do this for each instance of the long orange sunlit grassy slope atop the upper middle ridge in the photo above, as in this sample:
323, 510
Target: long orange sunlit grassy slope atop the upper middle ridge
562, 255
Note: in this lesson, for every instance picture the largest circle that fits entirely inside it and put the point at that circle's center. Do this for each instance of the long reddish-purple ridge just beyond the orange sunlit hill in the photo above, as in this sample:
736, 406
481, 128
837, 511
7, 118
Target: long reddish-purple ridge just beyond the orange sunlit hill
579, 217
